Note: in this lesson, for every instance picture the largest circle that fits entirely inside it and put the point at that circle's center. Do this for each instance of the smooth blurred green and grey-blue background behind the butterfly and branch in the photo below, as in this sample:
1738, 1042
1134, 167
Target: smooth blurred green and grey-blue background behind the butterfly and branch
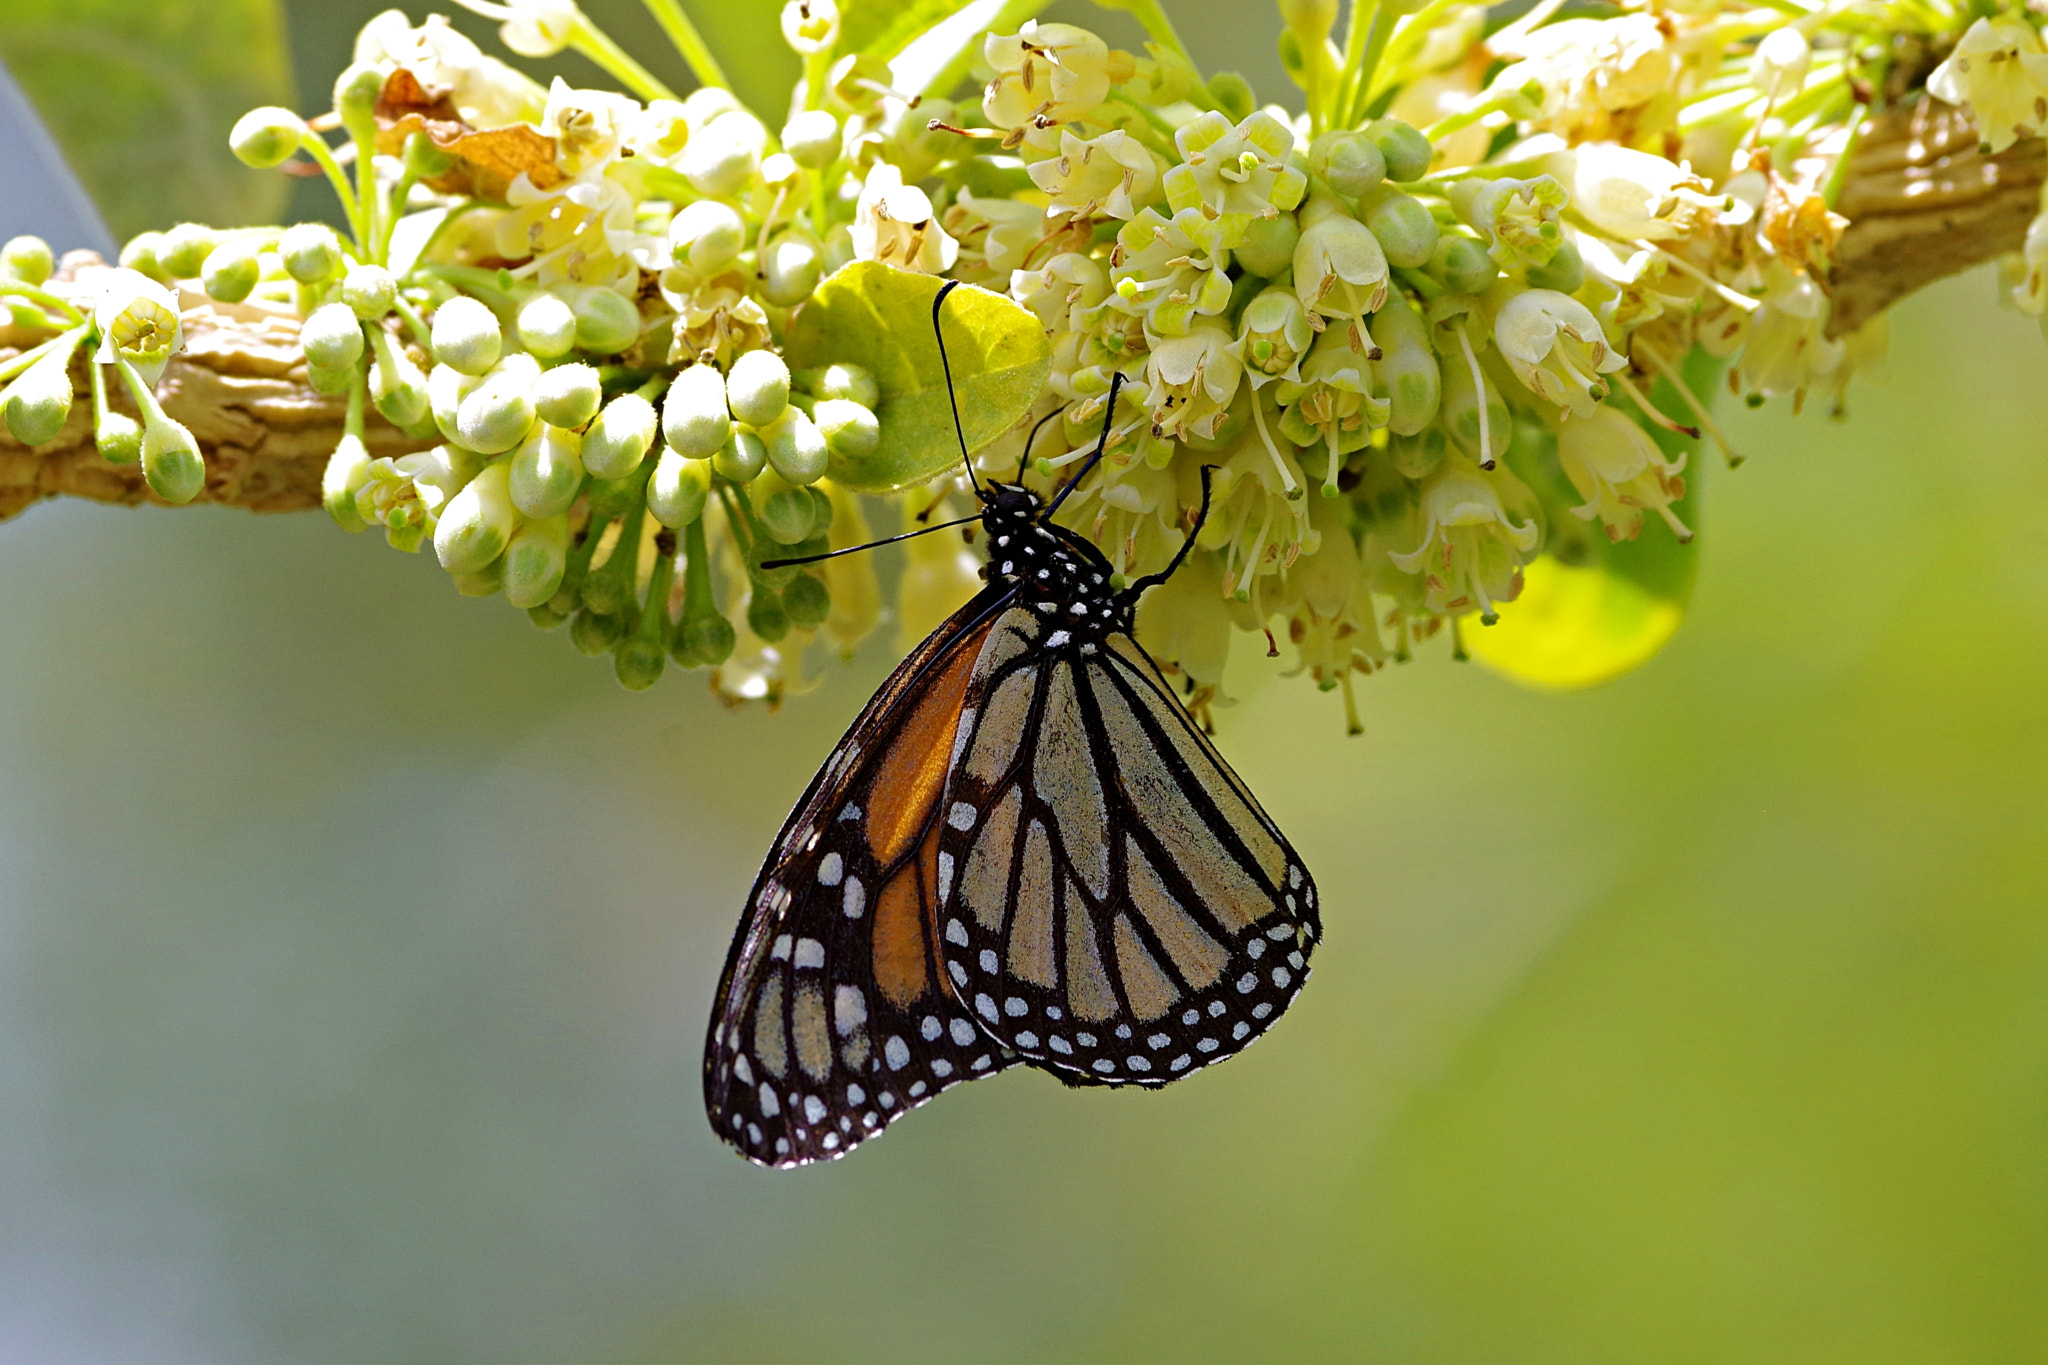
357, 940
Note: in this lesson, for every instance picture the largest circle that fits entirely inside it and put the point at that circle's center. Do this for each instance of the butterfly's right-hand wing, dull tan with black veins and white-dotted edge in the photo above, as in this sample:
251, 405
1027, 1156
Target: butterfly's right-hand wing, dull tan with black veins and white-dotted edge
1115, 906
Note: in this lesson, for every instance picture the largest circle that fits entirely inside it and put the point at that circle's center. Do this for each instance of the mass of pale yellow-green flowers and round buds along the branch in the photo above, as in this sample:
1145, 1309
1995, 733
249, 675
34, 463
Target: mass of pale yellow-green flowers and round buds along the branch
1414, 331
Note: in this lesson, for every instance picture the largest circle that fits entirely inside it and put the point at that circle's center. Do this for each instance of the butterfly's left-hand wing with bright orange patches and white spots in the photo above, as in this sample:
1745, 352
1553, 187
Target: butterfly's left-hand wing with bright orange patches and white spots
833, 1016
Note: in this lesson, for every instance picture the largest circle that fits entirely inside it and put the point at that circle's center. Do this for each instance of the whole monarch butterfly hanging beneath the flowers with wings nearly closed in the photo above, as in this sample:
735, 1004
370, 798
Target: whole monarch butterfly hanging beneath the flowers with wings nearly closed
1021, 852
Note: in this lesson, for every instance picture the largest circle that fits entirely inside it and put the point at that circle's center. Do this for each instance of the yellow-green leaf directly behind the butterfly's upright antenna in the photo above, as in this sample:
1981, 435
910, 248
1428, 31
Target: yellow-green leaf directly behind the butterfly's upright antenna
882, 318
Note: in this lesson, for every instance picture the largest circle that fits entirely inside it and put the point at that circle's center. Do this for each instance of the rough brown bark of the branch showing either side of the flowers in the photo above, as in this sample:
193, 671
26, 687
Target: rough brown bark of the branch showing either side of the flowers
1920, 197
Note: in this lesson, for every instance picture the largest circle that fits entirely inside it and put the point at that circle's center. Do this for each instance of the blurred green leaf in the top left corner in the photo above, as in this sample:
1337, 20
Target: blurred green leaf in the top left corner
142, 93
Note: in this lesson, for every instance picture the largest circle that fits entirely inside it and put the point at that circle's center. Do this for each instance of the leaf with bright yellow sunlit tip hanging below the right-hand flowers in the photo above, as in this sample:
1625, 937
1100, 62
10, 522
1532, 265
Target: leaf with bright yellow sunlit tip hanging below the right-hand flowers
1590, 609
